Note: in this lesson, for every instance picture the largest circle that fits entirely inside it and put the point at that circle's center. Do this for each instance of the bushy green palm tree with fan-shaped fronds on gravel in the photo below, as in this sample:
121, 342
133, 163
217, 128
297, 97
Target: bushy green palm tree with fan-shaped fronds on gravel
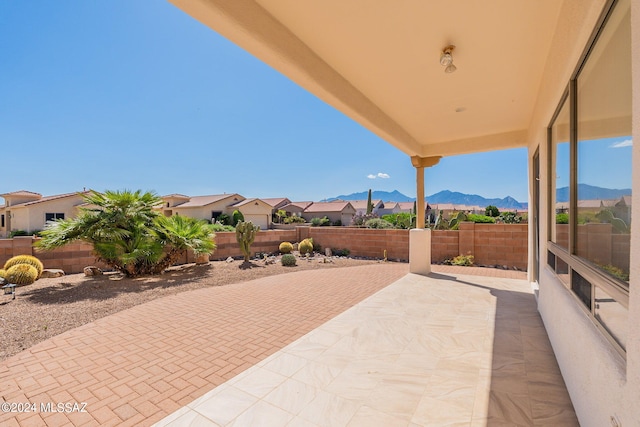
127, 233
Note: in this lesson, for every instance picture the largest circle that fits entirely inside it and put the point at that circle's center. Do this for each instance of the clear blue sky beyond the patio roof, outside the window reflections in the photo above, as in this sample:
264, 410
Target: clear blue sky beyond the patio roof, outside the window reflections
136, 94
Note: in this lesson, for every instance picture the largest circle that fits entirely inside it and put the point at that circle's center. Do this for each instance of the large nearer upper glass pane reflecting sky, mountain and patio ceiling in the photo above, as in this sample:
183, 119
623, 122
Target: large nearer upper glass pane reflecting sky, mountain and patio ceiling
604, 149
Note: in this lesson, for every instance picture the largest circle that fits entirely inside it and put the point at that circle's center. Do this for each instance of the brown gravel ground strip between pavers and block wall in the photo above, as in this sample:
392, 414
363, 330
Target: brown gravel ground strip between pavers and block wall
51, 306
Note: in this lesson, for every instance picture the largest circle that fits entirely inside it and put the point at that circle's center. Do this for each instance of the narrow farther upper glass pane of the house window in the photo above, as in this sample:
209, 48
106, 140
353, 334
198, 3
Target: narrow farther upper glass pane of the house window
560, 183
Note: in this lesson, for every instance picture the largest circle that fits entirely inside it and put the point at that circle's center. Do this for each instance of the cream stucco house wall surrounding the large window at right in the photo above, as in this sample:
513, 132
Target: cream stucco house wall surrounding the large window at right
602, 385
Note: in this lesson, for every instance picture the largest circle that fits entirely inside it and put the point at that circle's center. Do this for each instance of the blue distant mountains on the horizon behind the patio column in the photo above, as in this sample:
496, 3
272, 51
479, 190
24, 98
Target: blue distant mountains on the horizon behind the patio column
445, 196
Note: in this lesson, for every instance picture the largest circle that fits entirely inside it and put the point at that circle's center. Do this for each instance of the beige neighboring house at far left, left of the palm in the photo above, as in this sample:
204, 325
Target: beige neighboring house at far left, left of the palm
29, 211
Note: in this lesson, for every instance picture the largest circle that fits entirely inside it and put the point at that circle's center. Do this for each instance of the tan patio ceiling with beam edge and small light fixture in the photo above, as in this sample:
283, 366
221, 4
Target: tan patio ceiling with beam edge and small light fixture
378, 62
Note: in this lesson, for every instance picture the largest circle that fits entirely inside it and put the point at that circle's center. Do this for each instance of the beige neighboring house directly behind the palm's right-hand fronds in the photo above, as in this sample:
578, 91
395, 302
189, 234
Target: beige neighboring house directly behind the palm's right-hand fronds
208, 208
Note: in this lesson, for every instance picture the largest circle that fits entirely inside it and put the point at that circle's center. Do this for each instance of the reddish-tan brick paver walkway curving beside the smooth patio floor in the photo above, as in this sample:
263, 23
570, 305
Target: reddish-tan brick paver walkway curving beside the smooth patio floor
139, 365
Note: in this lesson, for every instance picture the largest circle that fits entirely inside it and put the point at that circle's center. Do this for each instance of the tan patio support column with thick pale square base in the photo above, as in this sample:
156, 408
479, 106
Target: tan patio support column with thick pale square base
420, 237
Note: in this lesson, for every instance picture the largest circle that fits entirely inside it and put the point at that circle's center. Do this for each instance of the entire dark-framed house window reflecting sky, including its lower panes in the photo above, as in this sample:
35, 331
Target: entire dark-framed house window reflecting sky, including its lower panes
590, 147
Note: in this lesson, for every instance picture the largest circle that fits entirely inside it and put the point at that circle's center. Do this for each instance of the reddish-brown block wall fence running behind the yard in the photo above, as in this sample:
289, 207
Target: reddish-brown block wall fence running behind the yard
490, 244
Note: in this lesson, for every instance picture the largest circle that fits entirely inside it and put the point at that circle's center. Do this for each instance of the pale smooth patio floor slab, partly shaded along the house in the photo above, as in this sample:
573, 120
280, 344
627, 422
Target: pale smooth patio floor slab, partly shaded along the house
442, 350
